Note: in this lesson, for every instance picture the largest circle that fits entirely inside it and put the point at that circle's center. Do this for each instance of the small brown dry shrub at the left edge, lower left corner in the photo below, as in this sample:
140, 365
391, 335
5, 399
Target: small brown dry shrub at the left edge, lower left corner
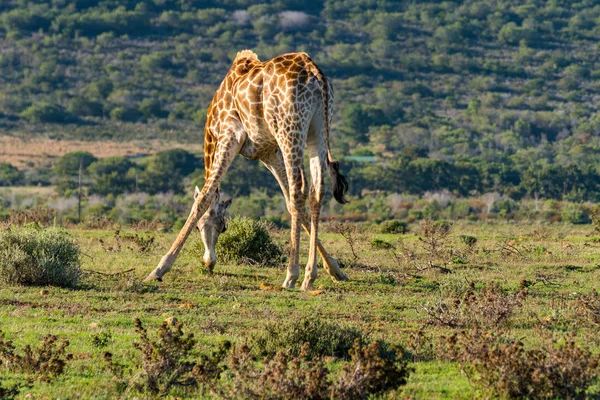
43, 363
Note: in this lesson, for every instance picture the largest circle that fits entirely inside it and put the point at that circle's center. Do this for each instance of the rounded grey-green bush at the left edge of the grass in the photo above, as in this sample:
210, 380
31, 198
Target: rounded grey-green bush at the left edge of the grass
30, 255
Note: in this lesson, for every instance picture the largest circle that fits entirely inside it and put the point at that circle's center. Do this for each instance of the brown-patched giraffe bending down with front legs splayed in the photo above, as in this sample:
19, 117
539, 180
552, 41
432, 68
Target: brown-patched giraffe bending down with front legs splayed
268, 111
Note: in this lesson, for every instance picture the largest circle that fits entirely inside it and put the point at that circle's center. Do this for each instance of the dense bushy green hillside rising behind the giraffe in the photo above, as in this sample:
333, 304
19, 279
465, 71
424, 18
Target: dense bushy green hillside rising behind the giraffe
469, 96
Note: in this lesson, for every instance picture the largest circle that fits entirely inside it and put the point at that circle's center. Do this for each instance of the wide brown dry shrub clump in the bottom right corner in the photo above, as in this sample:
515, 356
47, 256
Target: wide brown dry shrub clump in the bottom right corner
506, 369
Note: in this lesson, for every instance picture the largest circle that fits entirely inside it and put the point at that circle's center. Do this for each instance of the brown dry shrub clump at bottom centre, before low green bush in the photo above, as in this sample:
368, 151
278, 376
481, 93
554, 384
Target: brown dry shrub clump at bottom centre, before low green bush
373, 370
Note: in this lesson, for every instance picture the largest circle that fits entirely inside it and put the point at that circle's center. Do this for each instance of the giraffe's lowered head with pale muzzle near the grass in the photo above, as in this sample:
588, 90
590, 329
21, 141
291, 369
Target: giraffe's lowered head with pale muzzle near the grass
211, 225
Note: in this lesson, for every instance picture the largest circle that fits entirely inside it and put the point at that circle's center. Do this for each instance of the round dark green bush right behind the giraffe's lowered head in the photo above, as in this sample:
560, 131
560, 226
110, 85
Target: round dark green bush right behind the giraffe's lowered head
246, 241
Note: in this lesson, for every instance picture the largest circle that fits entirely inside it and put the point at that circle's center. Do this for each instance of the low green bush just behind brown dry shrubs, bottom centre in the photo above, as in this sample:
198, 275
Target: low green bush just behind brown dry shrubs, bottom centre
326, 339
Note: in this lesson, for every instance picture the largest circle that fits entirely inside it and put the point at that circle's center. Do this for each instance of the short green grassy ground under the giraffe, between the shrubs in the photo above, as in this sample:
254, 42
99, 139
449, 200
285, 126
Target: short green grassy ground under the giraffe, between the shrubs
392, 294
